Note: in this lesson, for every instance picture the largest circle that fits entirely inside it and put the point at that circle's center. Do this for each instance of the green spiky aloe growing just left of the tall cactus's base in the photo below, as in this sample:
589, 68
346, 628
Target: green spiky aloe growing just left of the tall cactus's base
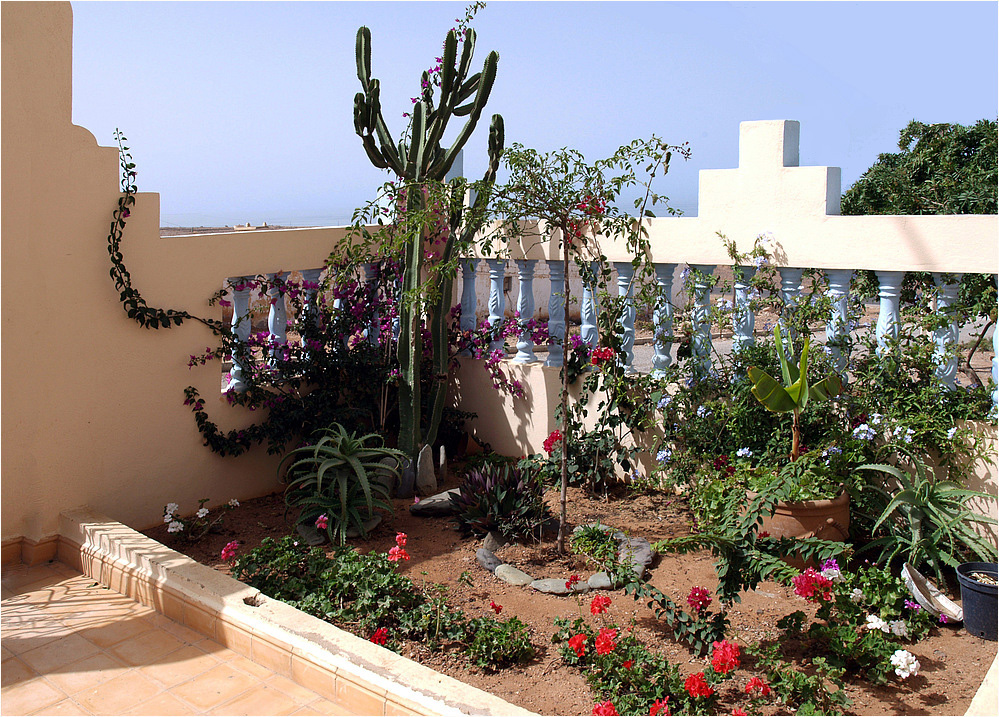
336, 477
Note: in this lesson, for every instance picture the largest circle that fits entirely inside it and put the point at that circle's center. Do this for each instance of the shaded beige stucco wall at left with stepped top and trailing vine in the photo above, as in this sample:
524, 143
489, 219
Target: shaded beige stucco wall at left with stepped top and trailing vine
92, 406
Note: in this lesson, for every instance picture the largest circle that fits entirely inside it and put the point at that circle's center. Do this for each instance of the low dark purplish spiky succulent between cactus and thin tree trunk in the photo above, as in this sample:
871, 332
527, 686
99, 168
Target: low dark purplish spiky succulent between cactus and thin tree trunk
500, 498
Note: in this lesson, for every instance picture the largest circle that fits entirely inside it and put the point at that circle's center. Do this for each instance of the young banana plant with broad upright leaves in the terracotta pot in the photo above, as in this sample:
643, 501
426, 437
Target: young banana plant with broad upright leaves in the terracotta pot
793, 396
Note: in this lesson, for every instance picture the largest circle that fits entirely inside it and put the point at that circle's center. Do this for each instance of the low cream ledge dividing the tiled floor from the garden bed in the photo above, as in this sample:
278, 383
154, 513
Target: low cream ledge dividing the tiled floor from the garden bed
359, 675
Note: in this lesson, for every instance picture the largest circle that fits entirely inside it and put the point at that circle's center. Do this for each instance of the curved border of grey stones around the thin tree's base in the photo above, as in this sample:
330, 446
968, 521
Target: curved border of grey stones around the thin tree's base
638, 550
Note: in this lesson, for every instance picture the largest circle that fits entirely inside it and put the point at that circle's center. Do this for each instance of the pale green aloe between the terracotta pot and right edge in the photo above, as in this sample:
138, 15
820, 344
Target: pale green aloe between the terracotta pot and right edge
928, 519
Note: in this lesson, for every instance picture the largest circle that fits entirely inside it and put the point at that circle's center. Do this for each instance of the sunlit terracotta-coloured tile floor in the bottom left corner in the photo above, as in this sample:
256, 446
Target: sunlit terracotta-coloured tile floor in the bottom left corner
72, 647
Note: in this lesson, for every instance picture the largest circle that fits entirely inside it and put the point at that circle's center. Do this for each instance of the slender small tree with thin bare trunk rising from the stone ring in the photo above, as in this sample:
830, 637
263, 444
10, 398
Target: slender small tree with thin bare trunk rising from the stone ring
576, 204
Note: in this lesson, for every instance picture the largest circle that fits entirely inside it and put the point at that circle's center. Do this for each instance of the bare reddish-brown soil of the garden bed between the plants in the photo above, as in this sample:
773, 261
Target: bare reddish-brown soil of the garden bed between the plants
953, 662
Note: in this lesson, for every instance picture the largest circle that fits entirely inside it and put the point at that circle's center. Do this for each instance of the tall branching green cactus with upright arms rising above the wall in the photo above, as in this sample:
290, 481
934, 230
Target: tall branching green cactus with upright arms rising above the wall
417, 159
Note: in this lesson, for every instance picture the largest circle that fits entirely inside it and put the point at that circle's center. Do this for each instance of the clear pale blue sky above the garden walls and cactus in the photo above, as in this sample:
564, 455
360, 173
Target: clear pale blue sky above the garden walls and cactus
242, 112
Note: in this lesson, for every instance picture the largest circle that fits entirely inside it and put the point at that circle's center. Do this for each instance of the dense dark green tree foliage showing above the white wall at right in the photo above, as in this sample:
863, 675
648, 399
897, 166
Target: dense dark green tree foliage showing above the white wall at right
941, 169
